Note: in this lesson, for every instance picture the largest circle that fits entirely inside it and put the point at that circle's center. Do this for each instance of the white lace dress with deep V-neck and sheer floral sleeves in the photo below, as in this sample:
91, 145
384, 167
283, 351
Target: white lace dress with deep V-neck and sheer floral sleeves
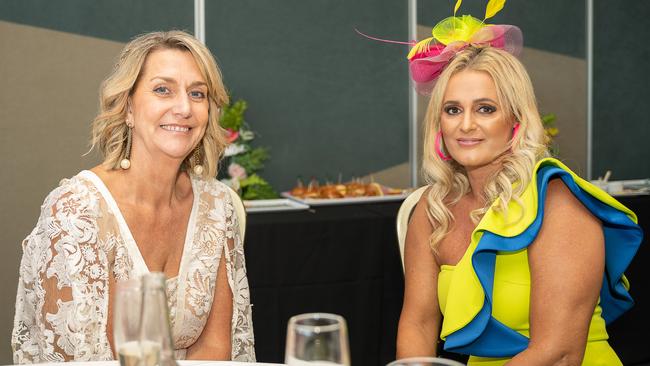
81, 240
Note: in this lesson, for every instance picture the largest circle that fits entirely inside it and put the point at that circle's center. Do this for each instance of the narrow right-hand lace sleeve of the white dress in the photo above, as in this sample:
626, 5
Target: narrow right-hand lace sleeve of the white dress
243, 342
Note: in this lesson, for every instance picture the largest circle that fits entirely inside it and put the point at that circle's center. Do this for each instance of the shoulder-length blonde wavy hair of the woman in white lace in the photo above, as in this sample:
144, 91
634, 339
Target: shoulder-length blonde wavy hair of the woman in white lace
109, 130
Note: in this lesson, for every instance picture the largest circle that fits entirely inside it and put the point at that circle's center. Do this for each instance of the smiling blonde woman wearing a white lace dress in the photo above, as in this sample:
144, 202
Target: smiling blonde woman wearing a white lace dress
152, 205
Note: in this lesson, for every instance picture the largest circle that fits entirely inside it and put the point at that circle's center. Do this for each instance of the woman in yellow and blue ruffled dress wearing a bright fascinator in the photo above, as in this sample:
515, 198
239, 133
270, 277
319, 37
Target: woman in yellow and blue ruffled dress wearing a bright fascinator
510, 257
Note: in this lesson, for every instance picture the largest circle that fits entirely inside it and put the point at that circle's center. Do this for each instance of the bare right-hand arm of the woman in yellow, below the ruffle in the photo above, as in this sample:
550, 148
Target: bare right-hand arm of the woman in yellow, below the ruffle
567, 261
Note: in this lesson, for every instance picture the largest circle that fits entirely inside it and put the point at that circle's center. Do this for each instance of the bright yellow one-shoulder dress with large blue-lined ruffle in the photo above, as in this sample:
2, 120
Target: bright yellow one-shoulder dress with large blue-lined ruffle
485, 298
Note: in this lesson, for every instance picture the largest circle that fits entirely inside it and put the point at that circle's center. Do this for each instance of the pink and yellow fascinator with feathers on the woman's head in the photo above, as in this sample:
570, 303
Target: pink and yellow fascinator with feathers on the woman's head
430, 56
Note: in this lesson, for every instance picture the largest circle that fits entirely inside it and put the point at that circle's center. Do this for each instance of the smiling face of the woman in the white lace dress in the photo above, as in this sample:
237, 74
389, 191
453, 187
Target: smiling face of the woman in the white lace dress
169, 106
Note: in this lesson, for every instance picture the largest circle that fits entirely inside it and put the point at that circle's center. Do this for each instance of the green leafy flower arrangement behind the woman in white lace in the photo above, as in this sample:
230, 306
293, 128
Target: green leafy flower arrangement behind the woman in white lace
243, 160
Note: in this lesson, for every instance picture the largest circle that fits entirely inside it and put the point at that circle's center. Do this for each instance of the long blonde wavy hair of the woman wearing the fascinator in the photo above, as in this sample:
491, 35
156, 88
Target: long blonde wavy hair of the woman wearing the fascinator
448, 179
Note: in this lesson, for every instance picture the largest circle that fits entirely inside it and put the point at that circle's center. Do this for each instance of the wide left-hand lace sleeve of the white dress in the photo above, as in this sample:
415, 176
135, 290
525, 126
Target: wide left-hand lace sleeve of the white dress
61, 302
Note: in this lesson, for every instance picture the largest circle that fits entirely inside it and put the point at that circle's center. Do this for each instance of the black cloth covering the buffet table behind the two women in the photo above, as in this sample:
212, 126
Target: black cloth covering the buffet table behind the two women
345, 260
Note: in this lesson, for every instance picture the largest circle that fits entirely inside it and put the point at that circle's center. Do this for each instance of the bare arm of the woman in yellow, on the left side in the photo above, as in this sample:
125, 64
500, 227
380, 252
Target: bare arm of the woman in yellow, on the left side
419, 323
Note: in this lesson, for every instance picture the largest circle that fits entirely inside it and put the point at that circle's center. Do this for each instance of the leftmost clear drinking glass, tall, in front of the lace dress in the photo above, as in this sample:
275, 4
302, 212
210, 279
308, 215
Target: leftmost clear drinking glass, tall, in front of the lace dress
127, 318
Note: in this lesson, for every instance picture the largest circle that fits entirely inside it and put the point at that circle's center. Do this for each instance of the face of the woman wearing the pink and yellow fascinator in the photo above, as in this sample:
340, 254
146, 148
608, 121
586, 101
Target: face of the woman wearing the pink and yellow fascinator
475, 128
